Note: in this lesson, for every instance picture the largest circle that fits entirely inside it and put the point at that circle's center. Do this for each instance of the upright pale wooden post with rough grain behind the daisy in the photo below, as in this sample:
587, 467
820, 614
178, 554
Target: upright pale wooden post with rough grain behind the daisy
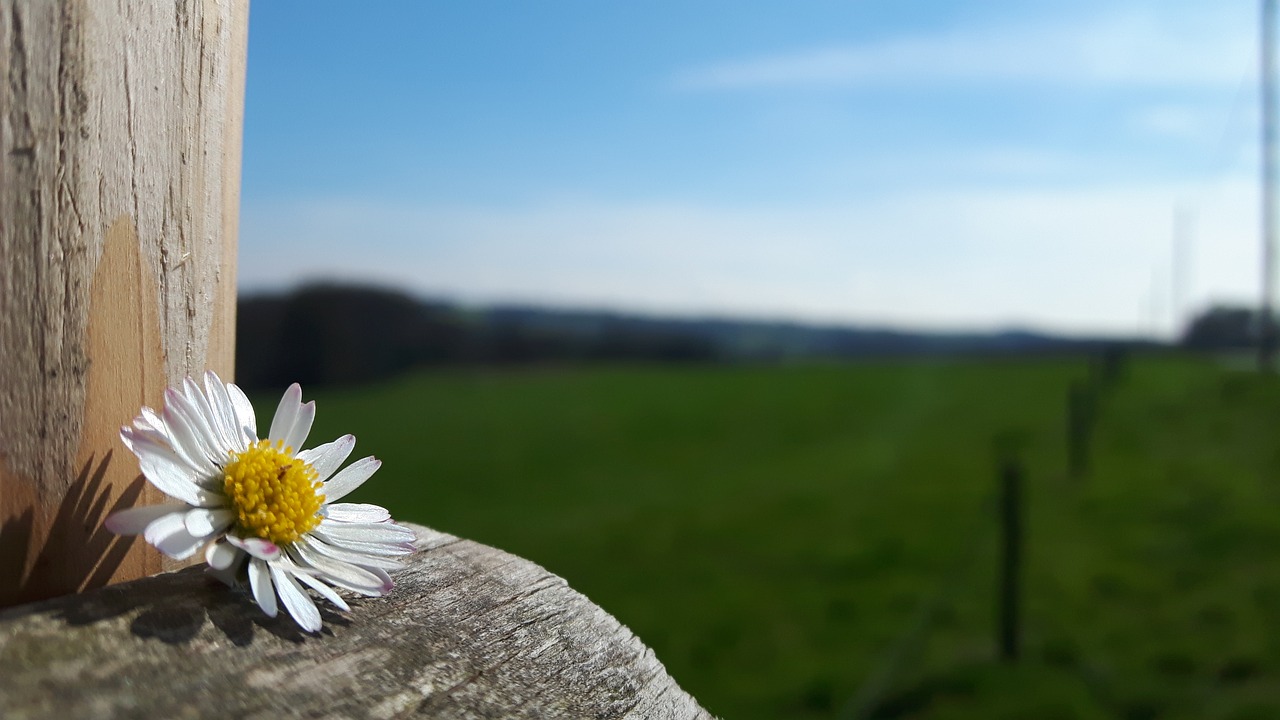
120, 188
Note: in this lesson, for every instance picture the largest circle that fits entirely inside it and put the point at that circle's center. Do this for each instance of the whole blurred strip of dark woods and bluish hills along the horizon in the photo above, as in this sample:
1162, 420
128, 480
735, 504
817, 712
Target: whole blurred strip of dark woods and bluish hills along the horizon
344, 335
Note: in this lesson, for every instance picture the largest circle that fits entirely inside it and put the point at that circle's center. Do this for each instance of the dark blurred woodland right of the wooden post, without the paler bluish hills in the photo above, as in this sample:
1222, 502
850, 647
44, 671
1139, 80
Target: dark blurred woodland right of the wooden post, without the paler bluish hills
342, 335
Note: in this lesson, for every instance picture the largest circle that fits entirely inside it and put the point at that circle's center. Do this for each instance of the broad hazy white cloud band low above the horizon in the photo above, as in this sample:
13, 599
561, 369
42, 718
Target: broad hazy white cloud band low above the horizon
1069, 261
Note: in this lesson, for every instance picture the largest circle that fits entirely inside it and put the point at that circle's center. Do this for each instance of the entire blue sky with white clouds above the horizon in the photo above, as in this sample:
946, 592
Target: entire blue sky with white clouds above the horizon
963, 166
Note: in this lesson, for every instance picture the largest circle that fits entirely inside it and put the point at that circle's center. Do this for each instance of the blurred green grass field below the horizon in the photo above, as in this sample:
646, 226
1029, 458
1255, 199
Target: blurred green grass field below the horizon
796, 541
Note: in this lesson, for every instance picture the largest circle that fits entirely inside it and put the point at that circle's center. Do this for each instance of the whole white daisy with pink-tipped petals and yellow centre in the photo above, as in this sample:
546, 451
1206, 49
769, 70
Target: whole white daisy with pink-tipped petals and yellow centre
260, 508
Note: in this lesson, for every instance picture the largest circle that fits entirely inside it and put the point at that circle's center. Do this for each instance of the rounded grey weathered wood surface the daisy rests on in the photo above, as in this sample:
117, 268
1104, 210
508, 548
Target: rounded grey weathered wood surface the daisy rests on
469, 632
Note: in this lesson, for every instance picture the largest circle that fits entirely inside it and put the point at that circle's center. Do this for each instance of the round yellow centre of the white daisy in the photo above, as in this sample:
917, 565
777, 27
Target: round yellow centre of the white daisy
276, 495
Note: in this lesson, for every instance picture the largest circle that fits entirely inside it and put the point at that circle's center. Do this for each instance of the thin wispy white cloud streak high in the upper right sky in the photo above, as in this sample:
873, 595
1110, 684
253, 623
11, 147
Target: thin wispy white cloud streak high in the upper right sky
1208, 45
